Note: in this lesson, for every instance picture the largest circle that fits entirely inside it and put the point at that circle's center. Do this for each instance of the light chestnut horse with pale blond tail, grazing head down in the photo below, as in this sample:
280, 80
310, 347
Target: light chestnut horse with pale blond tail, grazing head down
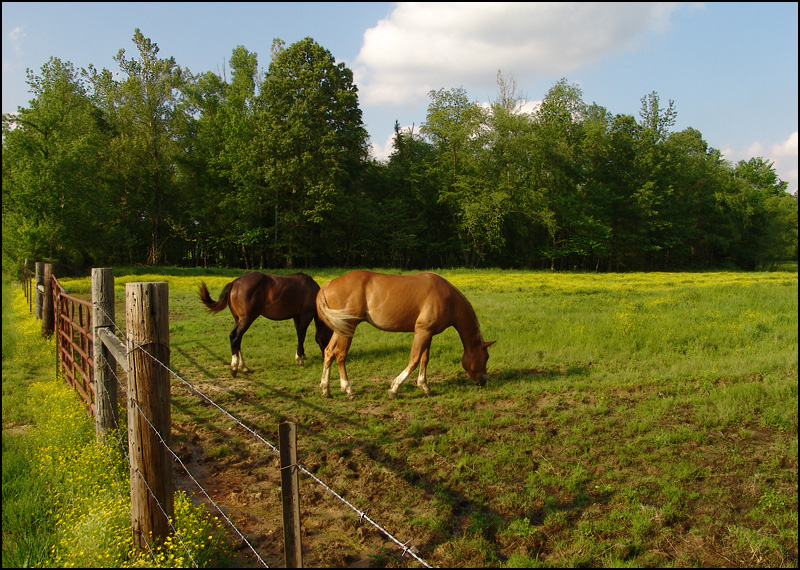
425, 304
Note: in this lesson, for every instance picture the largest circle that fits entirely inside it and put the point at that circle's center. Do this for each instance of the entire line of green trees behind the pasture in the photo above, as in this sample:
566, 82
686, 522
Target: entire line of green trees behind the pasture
156, 165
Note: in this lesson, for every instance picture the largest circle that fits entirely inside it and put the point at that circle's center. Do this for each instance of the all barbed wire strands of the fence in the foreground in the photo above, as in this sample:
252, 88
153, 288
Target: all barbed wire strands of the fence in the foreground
259, 439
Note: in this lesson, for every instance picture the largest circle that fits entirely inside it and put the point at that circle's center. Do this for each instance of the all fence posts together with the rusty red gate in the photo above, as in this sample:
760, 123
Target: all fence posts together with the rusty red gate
87, 351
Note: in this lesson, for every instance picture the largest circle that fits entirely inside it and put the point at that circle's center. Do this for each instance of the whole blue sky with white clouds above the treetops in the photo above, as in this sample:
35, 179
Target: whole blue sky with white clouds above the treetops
729, 67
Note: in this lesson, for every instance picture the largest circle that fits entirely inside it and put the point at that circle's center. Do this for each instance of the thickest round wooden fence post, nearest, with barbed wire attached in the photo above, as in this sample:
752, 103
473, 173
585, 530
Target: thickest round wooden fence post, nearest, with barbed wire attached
149, 415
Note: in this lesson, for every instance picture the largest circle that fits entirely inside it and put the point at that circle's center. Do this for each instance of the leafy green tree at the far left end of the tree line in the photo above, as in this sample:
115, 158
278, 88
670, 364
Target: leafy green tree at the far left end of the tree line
56, 205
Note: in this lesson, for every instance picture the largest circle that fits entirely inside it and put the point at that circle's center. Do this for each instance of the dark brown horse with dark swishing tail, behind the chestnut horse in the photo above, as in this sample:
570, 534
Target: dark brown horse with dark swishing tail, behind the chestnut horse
277, 297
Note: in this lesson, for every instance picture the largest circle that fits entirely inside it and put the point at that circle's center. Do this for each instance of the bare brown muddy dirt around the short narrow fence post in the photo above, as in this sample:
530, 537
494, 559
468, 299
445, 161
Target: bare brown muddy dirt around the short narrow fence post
249, 493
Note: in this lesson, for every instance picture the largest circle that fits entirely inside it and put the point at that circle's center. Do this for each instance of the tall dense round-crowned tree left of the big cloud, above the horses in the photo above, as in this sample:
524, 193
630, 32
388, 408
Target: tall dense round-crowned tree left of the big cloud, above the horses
314, 144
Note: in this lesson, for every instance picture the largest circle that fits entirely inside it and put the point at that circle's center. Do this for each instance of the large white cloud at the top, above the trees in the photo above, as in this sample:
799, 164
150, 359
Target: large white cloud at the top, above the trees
424, 45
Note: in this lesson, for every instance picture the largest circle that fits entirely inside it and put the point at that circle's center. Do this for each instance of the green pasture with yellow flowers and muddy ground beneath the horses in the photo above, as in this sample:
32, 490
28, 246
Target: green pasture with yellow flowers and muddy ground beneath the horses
629, 420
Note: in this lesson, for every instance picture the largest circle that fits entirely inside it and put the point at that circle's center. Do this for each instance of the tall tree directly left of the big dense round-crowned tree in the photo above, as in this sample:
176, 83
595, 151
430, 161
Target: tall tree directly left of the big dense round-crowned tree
227, 219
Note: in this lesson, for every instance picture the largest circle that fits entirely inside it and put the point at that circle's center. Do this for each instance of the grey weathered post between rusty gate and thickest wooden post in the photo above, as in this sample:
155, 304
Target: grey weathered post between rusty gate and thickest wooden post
105, 369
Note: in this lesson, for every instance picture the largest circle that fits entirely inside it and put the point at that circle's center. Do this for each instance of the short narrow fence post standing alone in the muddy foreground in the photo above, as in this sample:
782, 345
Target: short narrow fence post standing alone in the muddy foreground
293, 554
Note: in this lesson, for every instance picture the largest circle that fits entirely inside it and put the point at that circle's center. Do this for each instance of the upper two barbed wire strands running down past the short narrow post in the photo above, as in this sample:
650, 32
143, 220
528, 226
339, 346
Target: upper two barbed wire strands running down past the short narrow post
362, 514
